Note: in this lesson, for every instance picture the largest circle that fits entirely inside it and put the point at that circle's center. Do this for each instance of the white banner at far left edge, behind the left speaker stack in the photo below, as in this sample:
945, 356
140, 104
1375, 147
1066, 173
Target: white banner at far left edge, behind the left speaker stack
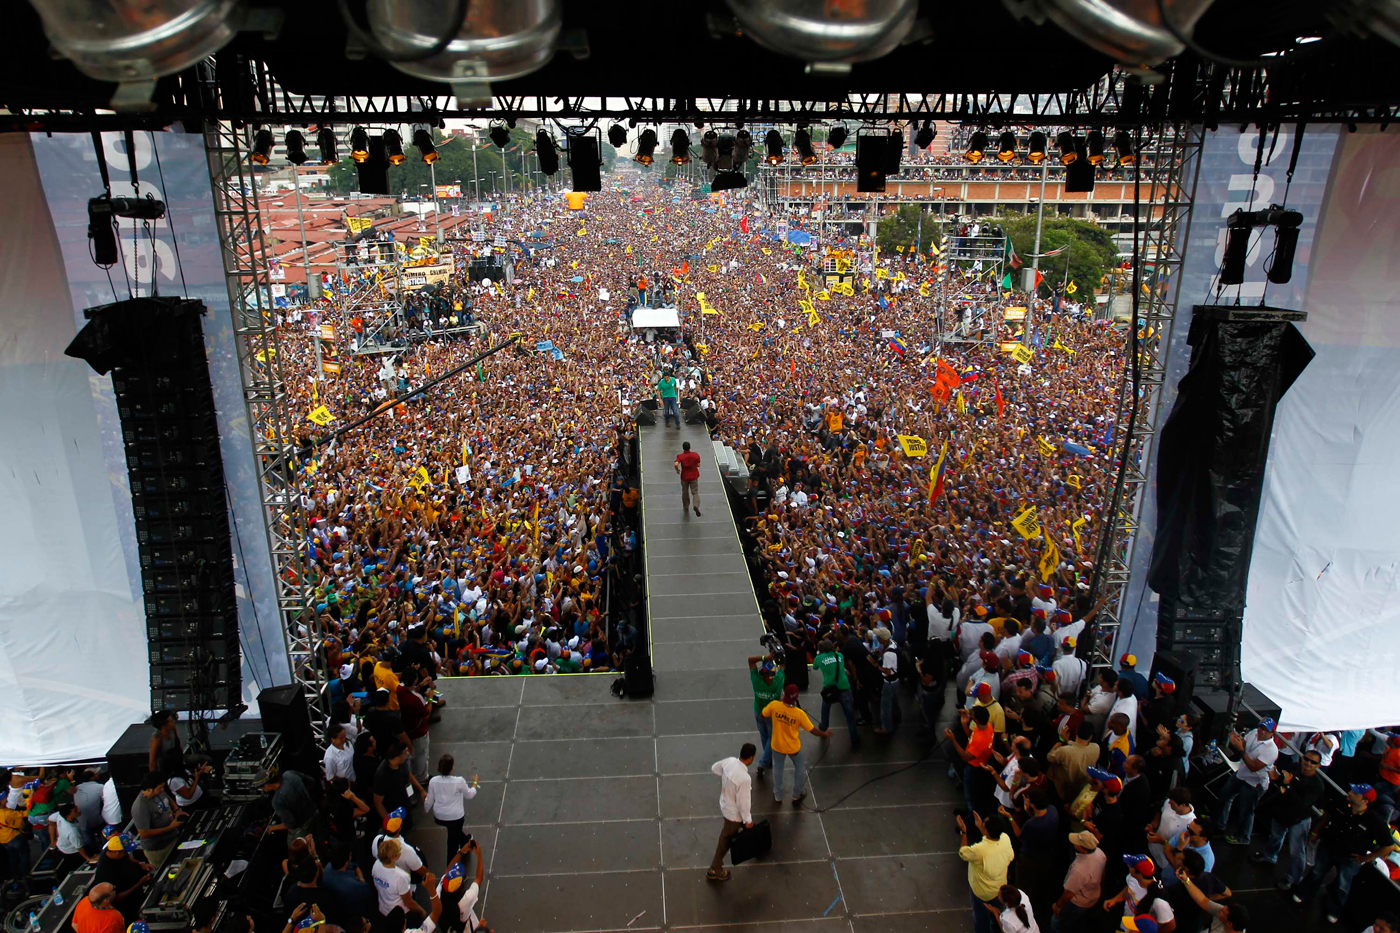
73, 665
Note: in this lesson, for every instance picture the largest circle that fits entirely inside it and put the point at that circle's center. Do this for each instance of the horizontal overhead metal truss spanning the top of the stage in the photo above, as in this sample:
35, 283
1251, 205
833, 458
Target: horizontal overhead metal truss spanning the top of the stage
1189, 92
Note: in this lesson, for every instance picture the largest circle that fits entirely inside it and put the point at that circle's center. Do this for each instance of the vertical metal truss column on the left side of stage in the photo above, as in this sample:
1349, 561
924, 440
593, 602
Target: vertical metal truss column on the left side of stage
268, 403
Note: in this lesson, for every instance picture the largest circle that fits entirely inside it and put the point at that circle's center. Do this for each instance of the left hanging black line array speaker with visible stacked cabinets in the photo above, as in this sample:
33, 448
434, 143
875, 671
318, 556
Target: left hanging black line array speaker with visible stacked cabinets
155, 350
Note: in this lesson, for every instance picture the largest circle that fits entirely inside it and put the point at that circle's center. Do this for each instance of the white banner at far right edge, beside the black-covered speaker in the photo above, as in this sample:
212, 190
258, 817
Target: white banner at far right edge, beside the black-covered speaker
1322, 624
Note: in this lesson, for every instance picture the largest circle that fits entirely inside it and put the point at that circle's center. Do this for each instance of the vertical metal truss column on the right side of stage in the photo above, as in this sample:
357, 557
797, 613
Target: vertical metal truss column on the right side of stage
1171, 188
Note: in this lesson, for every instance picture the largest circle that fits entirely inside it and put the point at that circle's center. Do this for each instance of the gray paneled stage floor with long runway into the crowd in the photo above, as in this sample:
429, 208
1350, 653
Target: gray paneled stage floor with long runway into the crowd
603, 815
